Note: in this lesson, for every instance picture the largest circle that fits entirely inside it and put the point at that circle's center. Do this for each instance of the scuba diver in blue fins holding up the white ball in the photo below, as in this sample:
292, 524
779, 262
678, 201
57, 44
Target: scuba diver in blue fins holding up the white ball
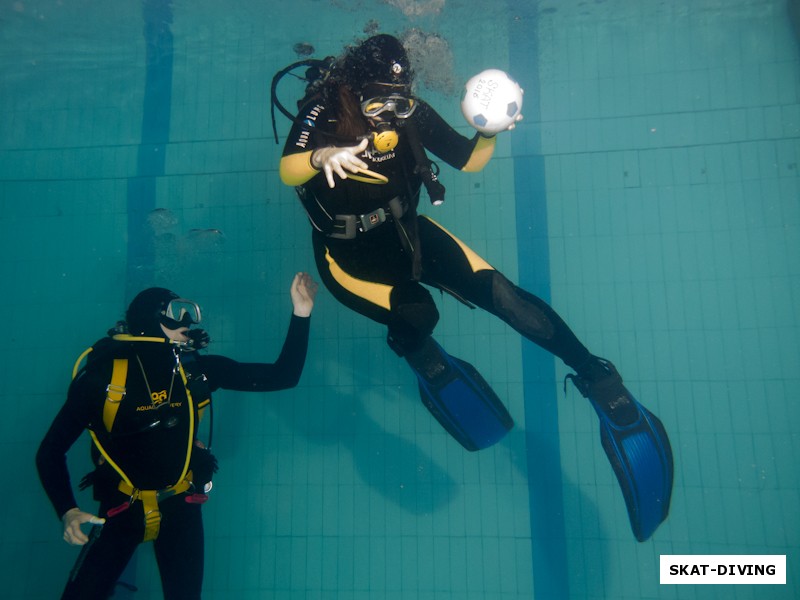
357, 156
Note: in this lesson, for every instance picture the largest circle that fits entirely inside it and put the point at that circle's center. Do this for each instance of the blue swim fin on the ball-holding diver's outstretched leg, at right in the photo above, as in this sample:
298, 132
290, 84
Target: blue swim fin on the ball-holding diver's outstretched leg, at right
637, 447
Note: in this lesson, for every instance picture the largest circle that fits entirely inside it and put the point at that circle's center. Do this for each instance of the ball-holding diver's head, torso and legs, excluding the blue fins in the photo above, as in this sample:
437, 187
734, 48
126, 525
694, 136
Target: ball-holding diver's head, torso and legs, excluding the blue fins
372, 249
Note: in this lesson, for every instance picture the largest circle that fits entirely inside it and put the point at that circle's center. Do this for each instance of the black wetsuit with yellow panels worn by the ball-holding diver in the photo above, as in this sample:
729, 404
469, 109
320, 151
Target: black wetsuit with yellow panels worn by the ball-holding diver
378, 272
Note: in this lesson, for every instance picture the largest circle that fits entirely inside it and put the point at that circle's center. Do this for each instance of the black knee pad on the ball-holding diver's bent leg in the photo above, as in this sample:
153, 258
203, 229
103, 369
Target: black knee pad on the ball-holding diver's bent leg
413, 317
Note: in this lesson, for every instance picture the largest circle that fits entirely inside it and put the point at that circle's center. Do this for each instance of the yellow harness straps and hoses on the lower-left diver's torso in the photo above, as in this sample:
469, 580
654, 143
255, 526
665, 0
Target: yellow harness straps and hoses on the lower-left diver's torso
115, 394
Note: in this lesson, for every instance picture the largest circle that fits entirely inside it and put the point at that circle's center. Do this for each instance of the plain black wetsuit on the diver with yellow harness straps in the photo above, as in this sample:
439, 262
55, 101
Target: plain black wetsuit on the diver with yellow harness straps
151, 440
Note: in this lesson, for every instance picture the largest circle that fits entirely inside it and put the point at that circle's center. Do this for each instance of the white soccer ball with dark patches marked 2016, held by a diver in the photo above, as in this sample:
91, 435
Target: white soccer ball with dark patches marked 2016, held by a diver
492, 101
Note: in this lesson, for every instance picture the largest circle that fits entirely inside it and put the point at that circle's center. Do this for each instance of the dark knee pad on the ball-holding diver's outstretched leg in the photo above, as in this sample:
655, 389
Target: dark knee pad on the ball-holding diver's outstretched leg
523, 311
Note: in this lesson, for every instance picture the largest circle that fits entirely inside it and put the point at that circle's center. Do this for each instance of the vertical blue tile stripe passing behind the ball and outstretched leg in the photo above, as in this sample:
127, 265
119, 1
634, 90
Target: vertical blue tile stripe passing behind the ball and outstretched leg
549, 553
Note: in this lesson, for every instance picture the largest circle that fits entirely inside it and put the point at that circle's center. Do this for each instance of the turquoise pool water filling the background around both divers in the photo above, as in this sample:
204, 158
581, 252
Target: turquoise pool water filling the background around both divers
651, 194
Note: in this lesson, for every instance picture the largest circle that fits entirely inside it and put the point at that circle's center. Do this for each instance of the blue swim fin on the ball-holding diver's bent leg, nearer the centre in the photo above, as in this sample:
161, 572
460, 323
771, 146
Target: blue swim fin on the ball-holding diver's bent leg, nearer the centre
460, 399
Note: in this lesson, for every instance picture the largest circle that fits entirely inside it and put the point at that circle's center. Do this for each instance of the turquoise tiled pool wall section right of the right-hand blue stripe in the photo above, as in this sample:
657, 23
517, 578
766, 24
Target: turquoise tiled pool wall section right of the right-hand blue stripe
669, 139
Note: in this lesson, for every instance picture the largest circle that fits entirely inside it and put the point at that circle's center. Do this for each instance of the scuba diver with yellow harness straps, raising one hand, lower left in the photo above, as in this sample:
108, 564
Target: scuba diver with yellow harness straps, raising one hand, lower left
141, 394
